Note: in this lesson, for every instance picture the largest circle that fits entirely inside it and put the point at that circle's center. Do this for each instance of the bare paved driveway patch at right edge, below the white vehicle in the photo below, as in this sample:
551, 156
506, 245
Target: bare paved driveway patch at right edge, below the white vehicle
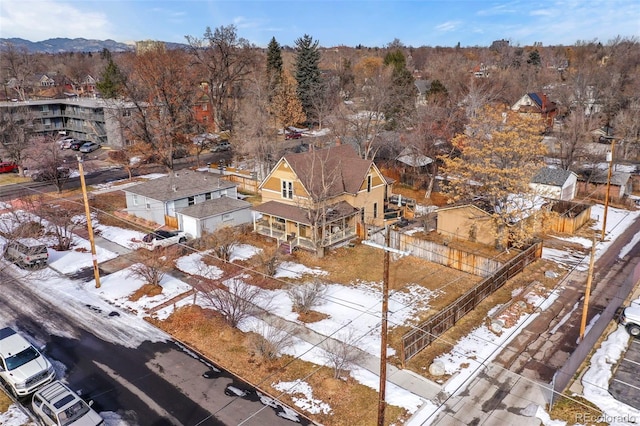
625, 386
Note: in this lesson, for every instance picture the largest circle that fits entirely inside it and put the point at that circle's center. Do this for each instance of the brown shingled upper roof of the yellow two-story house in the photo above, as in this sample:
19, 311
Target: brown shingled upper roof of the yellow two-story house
339, 168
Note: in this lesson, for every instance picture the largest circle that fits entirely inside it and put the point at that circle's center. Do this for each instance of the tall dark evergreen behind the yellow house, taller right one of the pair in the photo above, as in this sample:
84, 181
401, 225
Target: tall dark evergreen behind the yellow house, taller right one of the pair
307, 71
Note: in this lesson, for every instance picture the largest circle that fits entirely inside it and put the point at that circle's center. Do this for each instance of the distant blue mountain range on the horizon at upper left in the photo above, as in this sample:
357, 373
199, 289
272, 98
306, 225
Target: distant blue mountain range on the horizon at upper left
60, 45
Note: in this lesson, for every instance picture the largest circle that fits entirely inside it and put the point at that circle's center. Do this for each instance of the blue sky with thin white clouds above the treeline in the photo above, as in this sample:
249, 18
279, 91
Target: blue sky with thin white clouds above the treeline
331, 22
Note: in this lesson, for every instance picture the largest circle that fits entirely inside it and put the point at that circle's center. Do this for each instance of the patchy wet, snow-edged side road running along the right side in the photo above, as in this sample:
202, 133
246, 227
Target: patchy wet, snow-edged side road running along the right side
509, 389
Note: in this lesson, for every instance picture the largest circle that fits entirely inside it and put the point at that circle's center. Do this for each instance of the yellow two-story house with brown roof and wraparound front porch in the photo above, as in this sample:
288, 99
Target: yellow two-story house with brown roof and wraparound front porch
321, 198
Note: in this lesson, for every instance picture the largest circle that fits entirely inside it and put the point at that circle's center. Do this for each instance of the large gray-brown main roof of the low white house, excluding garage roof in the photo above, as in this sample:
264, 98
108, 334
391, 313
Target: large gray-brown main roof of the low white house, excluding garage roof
180, 184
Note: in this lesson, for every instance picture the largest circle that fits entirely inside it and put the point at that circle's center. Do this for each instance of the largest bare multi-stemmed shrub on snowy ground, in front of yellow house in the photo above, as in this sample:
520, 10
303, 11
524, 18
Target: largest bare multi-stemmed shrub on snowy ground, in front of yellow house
236, 302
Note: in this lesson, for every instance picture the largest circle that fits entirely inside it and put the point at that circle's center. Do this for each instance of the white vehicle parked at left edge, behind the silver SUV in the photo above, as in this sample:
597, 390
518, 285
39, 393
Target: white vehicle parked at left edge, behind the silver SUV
22, 368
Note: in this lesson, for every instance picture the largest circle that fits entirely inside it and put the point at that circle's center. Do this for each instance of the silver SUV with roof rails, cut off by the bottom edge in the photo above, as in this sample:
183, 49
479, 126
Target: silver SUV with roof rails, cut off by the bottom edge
57, 405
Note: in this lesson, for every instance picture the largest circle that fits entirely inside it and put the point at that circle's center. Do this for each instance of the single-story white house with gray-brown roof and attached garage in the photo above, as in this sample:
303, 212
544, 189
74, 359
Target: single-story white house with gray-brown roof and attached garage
188, 200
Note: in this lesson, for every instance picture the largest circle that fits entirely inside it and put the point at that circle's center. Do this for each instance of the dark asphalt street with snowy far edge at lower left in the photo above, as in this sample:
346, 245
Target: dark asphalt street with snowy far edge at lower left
146, 382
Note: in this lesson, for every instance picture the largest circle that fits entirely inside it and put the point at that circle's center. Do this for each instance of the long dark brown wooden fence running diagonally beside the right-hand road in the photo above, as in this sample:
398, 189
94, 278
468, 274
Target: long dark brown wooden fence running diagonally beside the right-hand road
424, 334
